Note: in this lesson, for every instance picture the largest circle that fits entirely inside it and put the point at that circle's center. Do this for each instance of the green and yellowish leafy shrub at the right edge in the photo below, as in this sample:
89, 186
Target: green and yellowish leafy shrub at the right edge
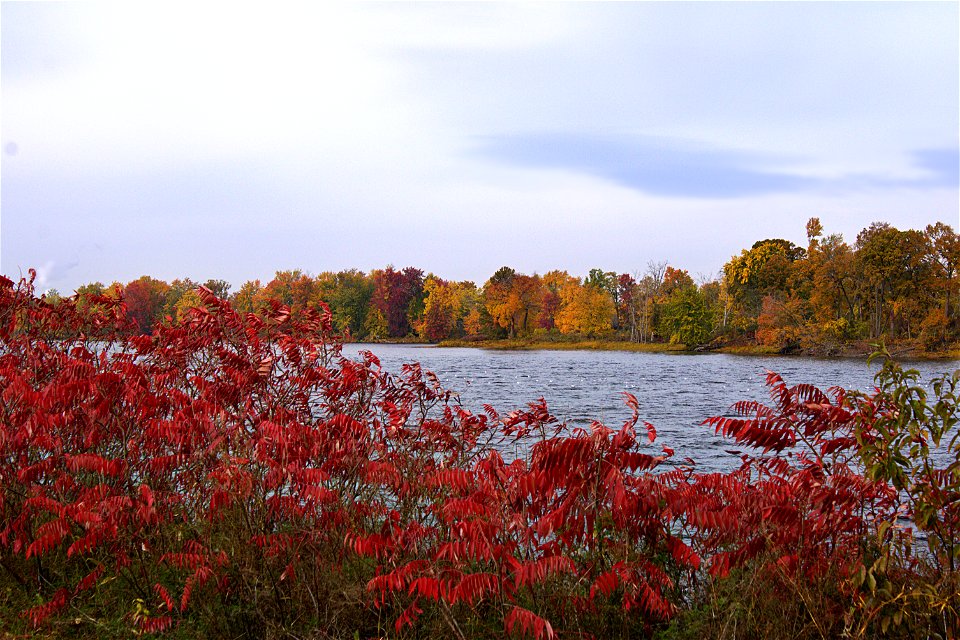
908, 438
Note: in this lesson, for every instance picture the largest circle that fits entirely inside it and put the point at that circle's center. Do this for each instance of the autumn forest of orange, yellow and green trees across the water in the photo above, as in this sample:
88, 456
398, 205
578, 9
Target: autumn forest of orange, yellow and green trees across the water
902, 287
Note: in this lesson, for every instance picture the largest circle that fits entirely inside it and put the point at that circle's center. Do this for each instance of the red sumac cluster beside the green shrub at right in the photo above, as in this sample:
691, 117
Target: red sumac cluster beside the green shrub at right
808, 505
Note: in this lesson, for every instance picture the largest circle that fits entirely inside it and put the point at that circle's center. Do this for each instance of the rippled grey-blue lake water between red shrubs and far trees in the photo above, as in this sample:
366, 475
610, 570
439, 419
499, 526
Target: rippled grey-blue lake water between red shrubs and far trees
676, 391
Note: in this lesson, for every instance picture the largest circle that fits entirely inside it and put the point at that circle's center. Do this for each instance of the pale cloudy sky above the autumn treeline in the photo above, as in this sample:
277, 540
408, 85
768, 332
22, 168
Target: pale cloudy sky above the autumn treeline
232, 140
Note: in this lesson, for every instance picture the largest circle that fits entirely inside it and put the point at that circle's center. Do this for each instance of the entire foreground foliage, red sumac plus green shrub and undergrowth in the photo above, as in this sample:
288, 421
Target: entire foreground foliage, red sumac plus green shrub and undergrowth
234, 475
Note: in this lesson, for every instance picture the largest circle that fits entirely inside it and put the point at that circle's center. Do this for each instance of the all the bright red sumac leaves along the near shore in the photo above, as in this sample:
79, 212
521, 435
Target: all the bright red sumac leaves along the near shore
232, 457
